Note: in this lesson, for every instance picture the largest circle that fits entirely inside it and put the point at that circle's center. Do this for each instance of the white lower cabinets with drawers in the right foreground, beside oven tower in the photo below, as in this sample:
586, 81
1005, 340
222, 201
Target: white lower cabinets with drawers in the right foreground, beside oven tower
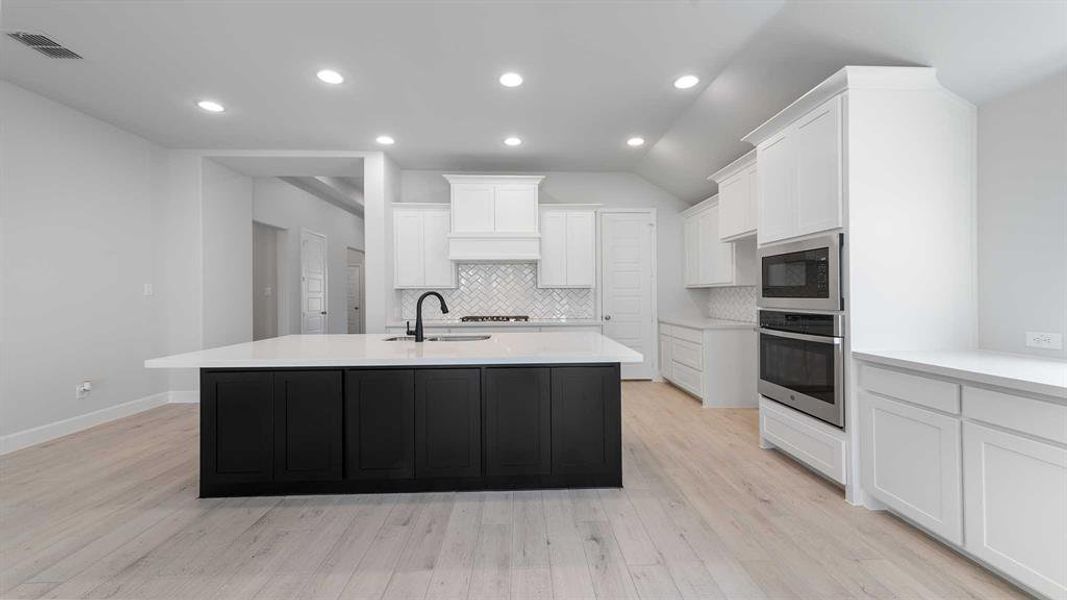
986, 470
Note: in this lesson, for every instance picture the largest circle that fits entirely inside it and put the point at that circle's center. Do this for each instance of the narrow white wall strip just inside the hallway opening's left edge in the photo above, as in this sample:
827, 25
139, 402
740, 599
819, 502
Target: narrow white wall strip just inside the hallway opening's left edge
227, 227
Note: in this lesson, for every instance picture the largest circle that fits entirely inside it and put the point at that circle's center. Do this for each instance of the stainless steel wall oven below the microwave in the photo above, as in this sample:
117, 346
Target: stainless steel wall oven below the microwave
802, 364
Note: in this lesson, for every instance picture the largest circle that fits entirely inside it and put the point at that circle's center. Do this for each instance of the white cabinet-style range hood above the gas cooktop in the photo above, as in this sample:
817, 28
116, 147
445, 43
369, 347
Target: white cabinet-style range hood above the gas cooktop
495, 218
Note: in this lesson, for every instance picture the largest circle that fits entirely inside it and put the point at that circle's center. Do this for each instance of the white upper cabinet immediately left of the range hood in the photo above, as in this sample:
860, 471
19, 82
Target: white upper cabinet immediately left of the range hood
421, 247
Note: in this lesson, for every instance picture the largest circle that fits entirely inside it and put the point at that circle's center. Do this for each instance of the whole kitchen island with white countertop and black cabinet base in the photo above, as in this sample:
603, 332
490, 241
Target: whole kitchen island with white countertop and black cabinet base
370, 414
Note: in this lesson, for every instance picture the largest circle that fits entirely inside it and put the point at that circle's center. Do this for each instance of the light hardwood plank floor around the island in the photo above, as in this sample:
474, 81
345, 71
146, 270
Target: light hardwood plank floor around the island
113, 513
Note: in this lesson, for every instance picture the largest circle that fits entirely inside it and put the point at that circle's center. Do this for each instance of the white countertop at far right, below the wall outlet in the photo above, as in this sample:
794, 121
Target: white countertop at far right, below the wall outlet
1028, 374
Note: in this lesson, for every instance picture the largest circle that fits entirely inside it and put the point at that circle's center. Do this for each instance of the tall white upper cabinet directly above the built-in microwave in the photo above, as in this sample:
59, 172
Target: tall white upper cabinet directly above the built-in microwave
800, 176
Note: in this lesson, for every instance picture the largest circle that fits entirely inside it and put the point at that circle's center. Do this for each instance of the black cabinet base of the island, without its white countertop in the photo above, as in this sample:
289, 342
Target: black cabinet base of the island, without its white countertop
351, 431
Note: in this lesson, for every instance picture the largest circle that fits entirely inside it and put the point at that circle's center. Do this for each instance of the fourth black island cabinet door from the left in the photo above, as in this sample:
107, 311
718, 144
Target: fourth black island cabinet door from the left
448, 423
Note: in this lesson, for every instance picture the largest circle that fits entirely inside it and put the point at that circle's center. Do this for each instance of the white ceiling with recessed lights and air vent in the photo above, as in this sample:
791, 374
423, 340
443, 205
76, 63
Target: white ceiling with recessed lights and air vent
425, 73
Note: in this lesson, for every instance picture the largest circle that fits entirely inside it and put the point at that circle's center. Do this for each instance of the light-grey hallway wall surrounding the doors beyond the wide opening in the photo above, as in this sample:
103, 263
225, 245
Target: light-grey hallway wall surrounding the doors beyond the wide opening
281, 206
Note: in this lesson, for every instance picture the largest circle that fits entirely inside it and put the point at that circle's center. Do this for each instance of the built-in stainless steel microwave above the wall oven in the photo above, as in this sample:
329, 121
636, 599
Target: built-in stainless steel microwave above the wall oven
803, 275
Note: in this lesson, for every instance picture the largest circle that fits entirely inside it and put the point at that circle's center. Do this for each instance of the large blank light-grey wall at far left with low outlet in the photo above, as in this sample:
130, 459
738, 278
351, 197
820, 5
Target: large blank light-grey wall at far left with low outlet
79, 208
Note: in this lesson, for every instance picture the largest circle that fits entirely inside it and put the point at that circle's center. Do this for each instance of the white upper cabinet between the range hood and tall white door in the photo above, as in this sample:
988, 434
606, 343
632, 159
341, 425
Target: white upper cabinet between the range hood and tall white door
568, 247
